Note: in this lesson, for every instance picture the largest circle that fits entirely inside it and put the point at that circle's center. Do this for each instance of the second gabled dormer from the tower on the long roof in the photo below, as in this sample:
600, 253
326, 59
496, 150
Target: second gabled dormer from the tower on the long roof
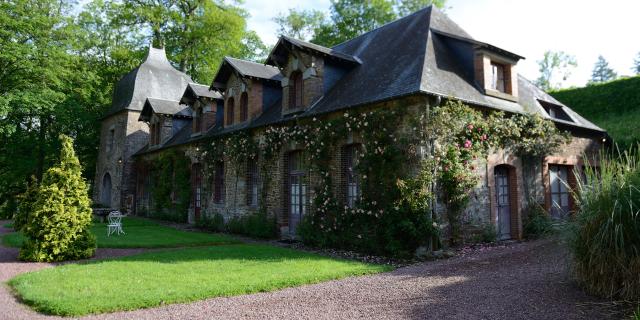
204, 104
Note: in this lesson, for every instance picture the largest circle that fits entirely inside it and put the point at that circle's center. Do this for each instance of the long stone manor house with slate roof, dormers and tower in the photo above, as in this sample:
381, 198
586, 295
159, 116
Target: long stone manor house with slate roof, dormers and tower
417, 60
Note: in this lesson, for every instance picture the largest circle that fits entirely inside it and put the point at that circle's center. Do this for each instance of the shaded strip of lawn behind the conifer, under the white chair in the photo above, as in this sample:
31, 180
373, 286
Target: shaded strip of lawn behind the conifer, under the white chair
140, 233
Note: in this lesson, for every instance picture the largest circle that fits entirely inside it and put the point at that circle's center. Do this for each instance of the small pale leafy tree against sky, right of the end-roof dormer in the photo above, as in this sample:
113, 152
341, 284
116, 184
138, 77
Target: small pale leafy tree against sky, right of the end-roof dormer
554, 64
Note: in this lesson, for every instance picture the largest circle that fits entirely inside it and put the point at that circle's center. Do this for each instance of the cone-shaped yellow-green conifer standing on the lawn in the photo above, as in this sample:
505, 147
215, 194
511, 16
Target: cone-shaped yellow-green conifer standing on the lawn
57, 227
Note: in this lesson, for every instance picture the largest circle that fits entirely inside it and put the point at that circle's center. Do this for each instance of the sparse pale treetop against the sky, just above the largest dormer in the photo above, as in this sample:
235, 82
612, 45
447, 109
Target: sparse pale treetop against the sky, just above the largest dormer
299, 24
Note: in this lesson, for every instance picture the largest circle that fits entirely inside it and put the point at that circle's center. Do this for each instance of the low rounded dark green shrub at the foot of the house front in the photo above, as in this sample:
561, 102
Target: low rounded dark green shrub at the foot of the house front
257, 224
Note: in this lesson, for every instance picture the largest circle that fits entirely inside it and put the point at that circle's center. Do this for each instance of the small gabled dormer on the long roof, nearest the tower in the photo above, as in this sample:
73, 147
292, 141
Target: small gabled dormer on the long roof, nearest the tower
165, 118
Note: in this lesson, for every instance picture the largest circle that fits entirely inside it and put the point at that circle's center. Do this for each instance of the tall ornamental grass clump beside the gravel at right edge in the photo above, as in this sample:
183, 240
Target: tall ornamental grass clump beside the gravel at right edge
606, 235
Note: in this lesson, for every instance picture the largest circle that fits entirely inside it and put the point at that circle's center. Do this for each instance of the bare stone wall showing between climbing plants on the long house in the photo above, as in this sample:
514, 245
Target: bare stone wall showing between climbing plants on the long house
528, 179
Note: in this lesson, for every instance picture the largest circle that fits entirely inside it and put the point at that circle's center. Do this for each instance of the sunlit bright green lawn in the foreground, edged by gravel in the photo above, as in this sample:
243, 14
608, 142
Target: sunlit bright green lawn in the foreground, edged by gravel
175, 276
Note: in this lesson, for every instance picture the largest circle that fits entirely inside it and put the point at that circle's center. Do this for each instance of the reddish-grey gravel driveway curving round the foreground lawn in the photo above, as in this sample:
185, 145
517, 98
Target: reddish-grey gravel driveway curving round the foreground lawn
518, 281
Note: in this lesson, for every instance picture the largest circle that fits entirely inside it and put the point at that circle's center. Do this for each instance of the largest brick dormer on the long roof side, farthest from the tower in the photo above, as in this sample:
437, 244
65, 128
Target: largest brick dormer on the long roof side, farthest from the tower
309, 71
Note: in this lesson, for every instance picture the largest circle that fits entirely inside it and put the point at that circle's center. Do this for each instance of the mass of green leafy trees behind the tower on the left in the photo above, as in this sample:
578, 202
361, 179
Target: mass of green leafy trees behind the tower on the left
60, 61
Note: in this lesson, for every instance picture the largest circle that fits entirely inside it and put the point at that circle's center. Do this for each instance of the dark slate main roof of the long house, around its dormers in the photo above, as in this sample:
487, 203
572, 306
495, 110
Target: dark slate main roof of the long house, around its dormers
423, 53
